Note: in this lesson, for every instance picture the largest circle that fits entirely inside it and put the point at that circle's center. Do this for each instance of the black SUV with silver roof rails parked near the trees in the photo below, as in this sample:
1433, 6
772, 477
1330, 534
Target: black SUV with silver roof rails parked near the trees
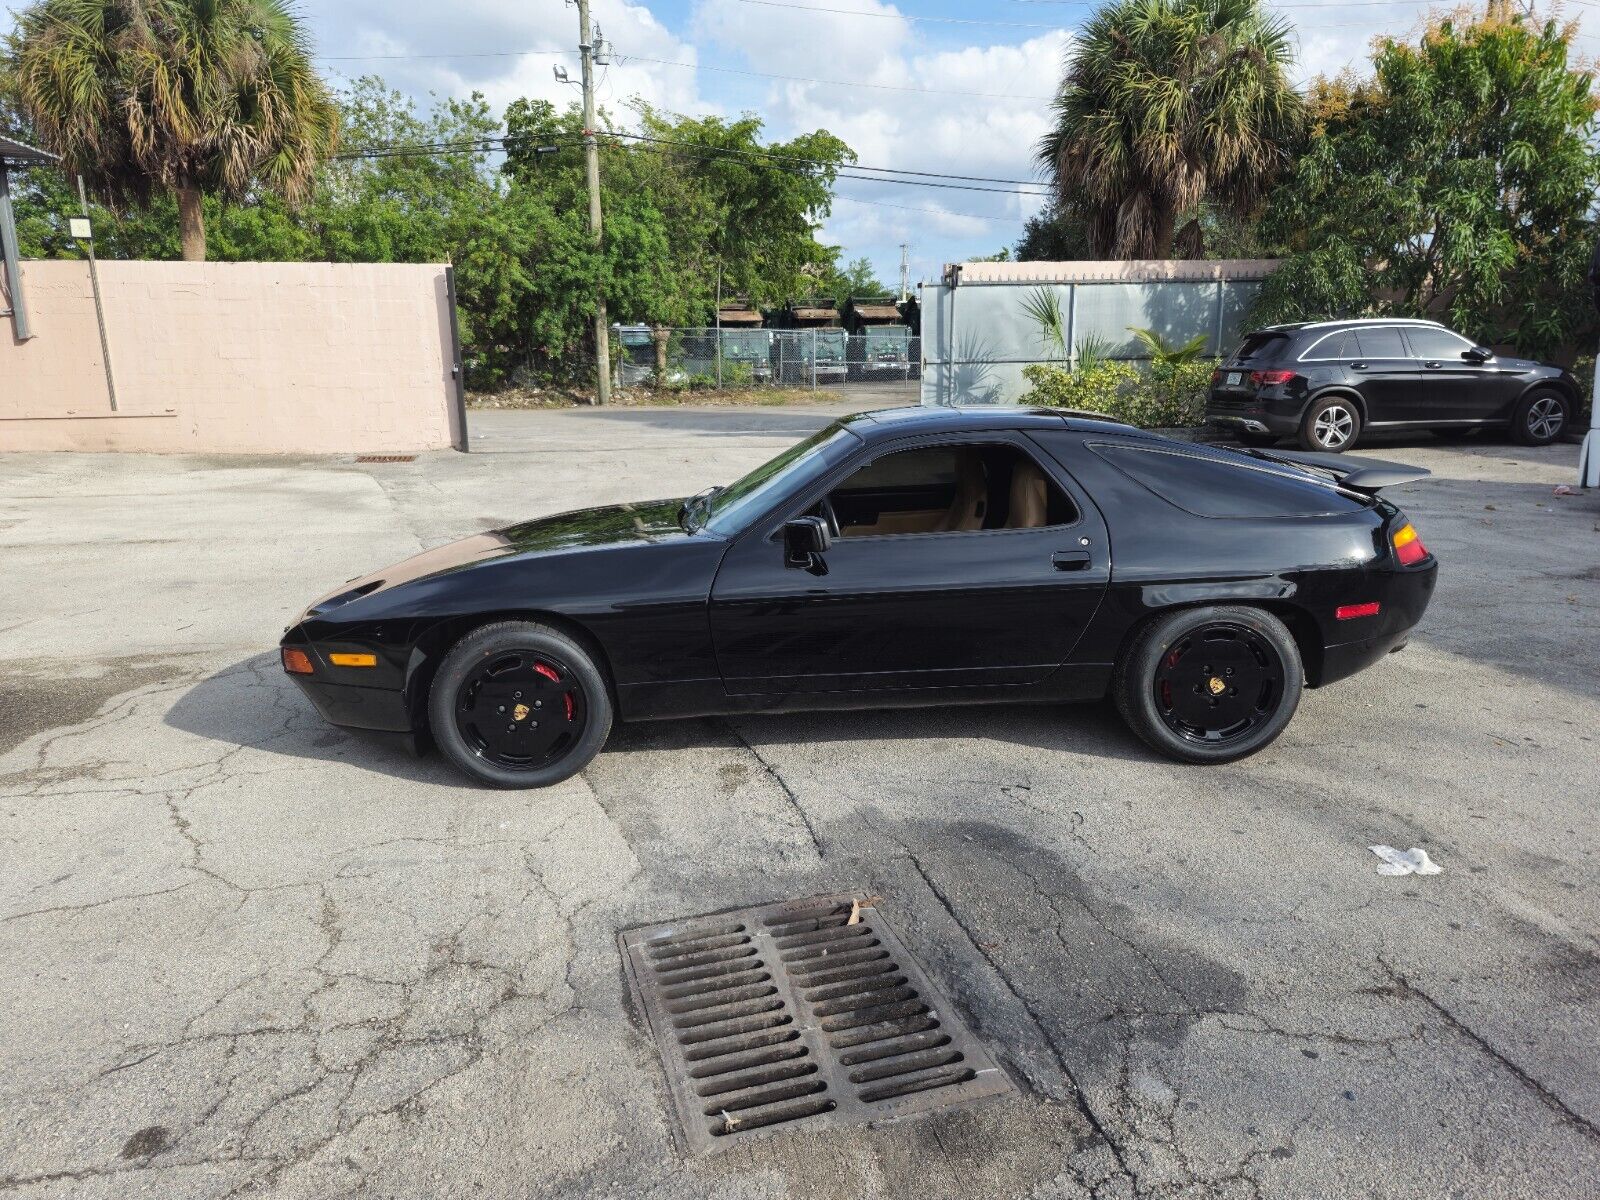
1327, 382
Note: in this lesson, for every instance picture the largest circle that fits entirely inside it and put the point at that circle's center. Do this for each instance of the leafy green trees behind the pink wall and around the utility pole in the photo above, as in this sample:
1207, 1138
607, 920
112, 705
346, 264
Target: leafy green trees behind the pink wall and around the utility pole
527, 273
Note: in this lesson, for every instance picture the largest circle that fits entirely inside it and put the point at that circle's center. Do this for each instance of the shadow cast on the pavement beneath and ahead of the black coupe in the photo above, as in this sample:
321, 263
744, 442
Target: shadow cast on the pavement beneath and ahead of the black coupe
254, 705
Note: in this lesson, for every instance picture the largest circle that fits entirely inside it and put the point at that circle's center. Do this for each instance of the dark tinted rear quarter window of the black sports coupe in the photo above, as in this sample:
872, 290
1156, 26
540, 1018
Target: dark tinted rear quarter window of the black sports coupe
1217, 487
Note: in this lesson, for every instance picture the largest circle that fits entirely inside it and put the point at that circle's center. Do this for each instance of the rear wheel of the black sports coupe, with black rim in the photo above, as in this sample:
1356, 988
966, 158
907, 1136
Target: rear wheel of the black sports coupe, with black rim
1231, 665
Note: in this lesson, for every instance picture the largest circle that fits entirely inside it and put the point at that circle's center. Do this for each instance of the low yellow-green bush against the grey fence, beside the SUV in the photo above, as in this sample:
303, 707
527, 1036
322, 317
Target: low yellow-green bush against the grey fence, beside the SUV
1166, 396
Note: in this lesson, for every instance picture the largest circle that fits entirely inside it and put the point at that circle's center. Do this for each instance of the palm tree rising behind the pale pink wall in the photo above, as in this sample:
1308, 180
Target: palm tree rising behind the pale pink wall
188, 97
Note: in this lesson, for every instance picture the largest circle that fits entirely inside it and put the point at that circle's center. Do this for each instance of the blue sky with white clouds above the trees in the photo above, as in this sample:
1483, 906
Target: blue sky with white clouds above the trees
926, 86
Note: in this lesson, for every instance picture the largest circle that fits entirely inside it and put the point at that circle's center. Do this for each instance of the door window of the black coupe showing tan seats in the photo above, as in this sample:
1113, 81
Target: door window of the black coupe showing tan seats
950, 490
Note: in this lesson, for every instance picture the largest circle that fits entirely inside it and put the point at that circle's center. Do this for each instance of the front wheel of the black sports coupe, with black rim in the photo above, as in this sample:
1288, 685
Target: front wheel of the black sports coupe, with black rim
513, 673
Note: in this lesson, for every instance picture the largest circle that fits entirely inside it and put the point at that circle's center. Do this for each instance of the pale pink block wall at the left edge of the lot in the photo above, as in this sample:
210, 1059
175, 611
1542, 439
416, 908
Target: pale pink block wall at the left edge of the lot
233, 358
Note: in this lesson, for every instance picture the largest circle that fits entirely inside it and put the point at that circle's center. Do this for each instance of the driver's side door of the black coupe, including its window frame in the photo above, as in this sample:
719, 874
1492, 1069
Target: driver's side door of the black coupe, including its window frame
934, 578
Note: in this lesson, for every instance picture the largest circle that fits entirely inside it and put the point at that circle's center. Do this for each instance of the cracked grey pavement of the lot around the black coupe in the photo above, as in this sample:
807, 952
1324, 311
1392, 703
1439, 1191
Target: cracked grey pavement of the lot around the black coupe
247, 954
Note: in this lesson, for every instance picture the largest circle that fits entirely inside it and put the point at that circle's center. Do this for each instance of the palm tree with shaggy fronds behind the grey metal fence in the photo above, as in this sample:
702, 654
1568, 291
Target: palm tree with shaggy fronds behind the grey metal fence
1169, 106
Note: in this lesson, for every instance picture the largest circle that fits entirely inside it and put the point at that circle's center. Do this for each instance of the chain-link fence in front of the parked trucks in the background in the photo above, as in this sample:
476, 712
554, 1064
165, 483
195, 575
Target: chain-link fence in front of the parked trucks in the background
793, 359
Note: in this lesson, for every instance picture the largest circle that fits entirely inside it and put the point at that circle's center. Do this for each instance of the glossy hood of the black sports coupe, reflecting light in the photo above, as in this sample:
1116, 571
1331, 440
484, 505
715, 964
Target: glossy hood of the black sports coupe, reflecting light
612, 526
